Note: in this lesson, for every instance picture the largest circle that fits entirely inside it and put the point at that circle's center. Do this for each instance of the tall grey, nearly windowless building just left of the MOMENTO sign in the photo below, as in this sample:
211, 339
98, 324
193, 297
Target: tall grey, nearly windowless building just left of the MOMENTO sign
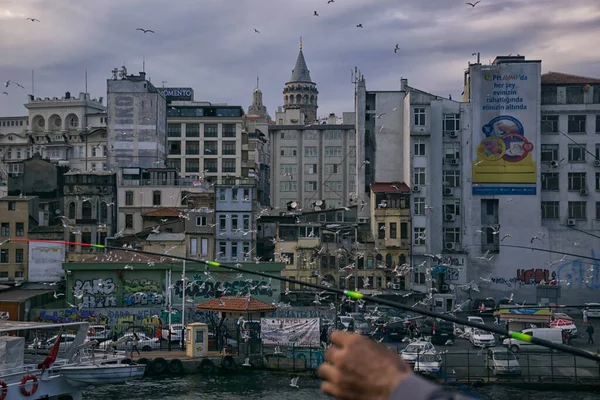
136, 129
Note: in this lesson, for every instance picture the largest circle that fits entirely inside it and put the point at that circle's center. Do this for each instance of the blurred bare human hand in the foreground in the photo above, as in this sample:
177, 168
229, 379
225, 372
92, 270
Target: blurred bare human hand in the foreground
358, 368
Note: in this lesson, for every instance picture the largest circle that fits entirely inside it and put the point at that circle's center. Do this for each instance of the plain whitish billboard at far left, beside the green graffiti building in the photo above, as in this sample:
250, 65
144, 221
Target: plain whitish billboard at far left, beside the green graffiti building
45, 262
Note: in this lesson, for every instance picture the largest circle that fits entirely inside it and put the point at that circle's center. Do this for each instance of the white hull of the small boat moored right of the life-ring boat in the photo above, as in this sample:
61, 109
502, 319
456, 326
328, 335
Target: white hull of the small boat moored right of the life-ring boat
102, 374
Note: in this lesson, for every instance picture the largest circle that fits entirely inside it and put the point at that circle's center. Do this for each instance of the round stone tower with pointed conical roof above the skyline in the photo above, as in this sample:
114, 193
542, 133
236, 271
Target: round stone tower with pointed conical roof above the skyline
301, 92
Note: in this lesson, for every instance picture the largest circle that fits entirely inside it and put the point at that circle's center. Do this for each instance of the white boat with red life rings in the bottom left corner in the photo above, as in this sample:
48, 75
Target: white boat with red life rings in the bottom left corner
19, 380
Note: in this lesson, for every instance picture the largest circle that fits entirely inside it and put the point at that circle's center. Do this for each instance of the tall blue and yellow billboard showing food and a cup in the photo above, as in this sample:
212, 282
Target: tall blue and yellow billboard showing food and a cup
505, 130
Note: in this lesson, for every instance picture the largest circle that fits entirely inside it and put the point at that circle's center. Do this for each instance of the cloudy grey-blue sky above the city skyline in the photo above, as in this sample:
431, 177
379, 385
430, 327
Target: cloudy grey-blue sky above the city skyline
211, 45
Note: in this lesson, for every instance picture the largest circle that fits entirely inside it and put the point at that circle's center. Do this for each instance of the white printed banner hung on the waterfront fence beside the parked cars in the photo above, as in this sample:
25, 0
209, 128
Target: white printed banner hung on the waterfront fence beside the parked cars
300, 332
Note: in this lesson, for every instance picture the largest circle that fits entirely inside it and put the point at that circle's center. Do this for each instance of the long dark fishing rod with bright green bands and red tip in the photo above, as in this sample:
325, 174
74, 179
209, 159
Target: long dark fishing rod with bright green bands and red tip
352, 295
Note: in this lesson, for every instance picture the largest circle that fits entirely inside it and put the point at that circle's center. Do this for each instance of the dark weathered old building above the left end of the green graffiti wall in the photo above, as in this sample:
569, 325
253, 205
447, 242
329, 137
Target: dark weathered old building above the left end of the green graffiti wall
90, 209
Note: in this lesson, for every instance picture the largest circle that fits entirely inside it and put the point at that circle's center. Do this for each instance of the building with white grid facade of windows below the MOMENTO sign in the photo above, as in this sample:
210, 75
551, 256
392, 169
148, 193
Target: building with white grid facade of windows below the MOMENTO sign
204, 141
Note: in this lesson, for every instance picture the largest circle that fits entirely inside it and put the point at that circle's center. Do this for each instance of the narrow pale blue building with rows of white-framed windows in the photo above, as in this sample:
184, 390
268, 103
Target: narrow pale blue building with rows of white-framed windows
235, 234
